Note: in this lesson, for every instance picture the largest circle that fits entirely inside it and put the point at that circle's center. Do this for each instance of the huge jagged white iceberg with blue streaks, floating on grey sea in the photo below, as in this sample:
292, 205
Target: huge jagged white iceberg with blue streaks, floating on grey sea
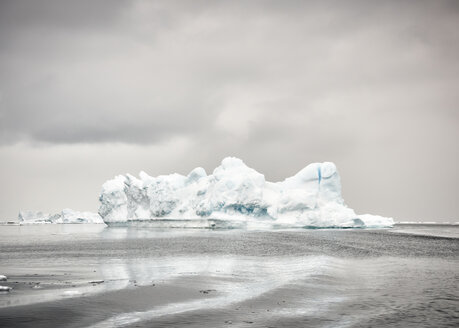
234, 195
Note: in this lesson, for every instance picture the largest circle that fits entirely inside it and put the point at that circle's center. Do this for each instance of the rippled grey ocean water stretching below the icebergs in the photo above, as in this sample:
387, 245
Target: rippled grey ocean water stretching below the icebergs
94, 276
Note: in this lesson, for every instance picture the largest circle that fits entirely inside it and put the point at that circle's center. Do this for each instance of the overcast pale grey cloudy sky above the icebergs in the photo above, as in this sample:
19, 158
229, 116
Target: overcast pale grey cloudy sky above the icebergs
93, 89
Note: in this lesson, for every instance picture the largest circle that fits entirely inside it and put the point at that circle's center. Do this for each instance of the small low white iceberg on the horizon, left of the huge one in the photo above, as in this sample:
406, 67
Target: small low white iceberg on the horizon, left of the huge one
65, 216
